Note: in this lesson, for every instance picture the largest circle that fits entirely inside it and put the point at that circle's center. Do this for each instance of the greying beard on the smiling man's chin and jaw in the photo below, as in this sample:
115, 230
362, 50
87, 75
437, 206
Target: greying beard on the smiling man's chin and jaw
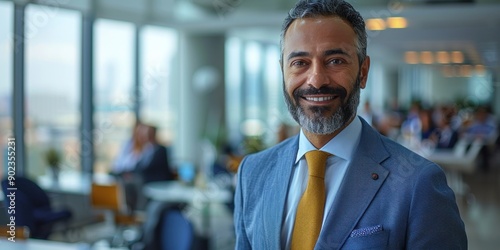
319, 124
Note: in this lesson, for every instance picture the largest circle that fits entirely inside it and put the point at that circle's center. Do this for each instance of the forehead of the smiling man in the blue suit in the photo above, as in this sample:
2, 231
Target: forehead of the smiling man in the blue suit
319, 33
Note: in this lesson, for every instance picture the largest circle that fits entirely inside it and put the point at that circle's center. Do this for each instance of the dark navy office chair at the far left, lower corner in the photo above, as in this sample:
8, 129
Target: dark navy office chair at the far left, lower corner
33, 208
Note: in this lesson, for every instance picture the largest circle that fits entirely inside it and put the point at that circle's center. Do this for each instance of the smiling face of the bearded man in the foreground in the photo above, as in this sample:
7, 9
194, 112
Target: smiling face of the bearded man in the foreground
321, 73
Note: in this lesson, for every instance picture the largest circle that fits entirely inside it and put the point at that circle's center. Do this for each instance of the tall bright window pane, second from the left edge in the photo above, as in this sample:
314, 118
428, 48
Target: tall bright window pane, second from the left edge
52, 78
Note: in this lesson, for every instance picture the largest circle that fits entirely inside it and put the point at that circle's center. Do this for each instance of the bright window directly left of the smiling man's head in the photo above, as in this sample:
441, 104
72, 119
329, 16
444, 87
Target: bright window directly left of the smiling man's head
255, 104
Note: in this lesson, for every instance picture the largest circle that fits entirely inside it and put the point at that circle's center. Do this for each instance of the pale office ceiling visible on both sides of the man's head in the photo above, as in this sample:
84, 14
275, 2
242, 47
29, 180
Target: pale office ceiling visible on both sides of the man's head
473, 28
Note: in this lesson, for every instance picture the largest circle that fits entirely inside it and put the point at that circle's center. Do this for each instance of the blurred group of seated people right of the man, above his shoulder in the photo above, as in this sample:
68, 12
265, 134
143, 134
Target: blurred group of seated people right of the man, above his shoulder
442, 127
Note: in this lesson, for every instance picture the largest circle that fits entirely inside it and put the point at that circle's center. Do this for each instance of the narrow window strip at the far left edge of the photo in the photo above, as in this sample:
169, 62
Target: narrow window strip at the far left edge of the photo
6, 18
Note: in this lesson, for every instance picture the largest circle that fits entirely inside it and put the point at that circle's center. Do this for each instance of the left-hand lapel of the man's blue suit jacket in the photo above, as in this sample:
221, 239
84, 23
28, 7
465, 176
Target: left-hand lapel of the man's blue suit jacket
276, 192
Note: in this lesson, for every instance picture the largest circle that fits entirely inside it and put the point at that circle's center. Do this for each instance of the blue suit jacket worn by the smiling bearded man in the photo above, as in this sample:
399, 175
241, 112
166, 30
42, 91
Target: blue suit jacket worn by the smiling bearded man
409, 205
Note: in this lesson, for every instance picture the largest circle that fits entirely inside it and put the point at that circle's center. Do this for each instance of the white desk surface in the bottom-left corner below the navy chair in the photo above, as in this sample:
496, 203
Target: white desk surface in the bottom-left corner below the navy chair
35, 244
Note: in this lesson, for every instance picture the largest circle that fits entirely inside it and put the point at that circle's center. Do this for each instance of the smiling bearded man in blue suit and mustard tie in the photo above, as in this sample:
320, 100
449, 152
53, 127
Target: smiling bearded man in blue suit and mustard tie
379, 195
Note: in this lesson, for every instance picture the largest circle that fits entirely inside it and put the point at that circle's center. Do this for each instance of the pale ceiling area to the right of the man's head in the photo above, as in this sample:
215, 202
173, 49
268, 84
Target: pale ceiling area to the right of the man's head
472, 29
